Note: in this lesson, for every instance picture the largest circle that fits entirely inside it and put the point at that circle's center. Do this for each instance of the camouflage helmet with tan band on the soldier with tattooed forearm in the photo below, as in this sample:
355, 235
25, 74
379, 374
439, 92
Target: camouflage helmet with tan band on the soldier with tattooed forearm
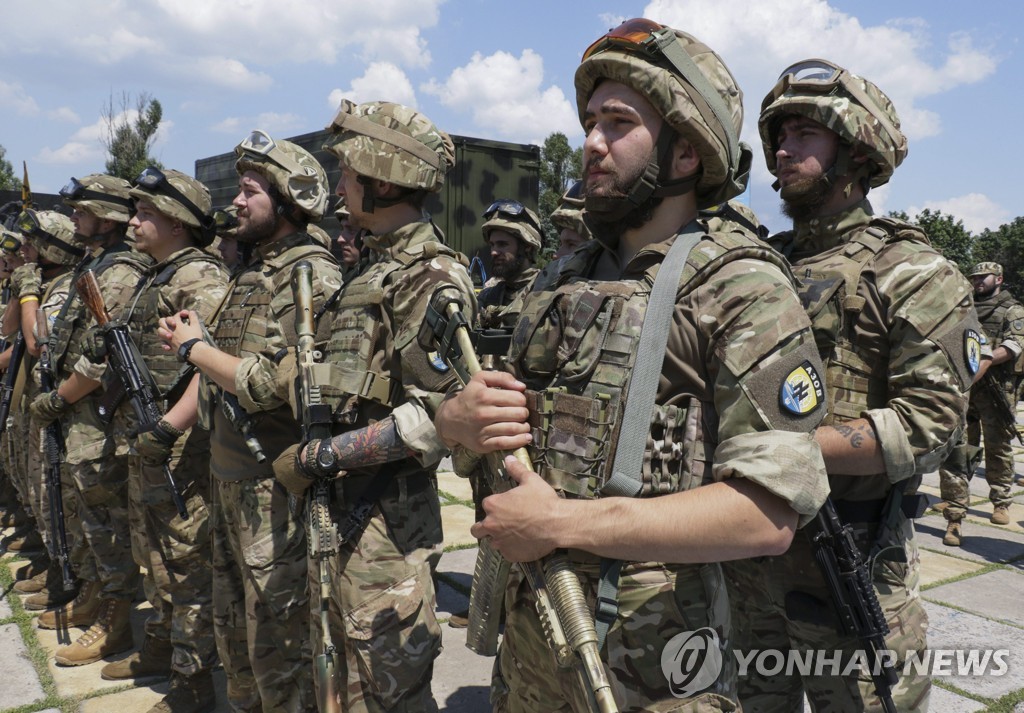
392, 143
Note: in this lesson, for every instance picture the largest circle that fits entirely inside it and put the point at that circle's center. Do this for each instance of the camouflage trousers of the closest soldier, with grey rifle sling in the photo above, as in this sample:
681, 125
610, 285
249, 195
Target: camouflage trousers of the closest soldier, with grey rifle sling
657, 604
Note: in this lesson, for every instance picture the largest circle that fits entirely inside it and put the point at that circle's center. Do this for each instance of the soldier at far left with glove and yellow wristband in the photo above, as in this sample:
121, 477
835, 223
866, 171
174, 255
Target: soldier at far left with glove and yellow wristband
50, 254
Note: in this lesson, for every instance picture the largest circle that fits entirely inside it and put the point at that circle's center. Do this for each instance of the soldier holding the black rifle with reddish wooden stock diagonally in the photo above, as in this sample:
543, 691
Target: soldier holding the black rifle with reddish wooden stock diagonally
173, 225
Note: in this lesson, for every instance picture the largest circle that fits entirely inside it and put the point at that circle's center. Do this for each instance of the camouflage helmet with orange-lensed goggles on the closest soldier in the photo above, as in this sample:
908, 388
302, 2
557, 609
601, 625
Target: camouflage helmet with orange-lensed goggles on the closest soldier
690, 87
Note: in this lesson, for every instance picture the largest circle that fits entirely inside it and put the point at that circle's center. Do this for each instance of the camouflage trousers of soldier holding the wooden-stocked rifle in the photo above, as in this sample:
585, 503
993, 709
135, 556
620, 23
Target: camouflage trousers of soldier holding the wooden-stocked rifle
177, 554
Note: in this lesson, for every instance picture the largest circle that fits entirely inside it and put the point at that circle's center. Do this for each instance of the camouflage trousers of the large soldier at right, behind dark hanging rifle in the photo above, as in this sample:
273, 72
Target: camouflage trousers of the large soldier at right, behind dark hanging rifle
783, 605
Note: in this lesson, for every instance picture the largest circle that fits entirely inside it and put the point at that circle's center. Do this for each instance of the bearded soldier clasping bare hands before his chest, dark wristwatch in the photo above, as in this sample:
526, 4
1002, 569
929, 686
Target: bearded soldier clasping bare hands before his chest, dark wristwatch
261, 605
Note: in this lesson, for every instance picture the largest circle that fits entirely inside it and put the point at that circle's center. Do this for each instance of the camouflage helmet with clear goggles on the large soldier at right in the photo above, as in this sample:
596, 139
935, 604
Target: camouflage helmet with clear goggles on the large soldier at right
852, 107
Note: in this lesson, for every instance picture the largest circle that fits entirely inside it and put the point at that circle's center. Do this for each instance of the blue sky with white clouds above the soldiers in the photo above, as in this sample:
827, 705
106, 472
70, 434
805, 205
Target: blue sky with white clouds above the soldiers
503, 71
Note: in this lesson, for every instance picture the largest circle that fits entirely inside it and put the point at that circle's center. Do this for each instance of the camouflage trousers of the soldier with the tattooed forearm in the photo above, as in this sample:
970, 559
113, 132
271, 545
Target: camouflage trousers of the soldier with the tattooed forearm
381, 614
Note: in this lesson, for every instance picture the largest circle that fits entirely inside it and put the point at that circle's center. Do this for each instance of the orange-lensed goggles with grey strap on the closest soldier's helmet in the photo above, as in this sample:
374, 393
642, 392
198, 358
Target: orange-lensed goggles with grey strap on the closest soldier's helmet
643, 36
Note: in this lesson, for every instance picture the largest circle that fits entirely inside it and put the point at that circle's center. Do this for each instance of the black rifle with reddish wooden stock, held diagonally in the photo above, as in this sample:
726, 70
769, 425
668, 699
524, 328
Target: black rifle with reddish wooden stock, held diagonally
126, 362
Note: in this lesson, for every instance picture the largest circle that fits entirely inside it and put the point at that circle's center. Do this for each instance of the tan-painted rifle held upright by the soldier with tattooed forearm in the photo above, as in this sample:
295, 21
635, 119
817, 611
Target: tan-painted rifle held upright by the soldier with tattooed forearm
323, 534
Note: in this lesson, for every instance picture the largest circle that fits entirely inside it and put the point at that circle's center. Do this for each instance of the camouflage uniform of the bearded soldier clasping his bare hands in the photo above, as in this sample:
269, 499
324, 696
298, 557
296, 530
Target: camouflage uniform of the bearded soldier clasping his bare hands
261, 610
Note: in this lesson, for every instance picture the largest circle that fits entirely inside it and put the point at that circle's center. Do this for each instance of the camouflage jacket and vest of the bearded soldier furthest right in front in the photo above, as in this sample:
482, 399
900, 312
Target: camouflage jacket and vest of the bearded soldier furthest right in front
895, 326
